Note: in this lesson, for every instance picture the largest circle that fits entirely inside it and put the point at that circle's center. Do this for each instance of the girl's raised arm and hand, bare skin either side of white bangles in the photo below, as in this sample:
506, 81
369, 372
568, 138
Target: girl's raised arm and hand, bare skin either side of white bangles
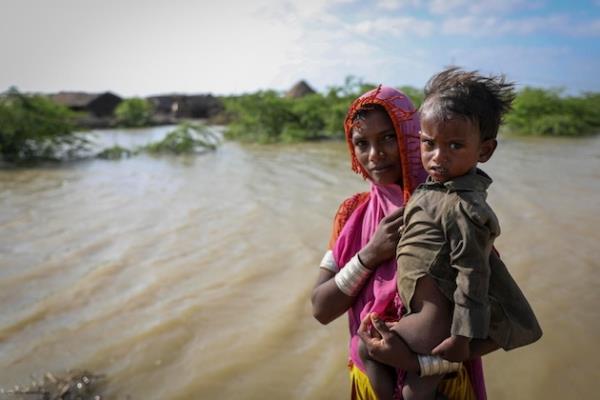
328, 301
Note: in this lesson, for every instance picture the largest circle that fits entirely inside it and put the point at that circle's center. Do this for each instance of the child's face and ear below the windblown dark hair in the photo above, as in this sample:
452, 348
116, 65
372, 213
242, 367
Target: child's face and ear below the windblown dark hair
450, 149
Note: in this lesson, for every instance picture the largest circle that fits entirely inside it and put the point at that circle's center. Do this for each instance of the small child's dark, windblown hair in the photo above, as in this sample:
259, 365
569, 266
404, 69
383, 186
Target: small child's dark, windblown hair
455, 93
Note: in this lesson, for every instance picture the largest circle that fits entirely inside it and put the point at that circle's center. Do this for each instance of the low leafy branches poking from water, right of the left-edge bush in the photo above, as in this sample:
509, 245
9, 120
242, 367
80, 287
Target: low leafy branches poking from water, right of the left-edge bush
187, 137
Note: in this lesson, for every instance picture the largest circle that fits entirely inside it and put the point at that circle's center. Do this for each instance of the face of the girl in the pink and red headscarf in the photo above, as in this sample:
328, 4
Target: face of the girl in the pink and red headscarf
376, 148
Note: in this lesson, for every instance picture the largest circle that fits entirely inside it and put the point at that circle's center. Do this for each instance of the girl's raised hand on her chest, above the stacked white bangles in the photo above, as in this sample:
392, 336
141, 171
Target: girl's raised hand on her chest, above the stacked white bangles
382, 245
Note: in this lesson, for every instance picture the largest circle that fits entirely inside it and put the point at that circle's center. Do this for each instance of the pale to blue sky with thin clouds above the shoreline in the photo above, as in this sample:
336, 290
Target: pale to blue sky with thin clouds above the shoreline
146, 47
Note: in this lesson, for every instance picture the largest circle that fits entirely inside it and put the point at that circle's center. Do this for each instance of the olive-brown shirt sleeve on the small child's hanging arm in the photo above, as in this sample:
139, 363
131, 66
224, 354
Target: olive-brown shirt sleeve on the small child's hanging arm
471, 229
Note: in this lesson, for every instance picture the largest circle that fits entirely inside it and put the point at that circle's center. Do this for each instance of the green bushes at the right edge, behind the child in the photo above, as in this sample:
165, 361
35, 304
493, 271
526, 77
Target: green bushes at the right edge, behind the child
545, 112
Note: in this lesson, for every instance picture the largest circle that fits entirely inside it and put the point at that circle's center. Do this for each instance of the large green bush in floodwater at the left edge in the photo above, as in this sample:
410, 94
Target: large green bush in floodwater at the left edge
33, 127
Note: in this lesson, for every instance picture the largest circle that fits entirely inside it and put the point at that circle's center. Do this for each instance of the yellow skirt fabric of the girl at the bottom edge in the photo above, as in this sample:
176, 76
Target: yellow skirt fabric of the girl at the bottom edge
457, 388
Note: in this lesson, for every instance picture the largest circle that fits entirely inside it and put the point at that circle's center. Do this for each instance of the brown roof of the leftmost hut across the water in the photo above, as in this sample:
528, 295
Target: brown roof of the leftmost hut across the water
98, 104
